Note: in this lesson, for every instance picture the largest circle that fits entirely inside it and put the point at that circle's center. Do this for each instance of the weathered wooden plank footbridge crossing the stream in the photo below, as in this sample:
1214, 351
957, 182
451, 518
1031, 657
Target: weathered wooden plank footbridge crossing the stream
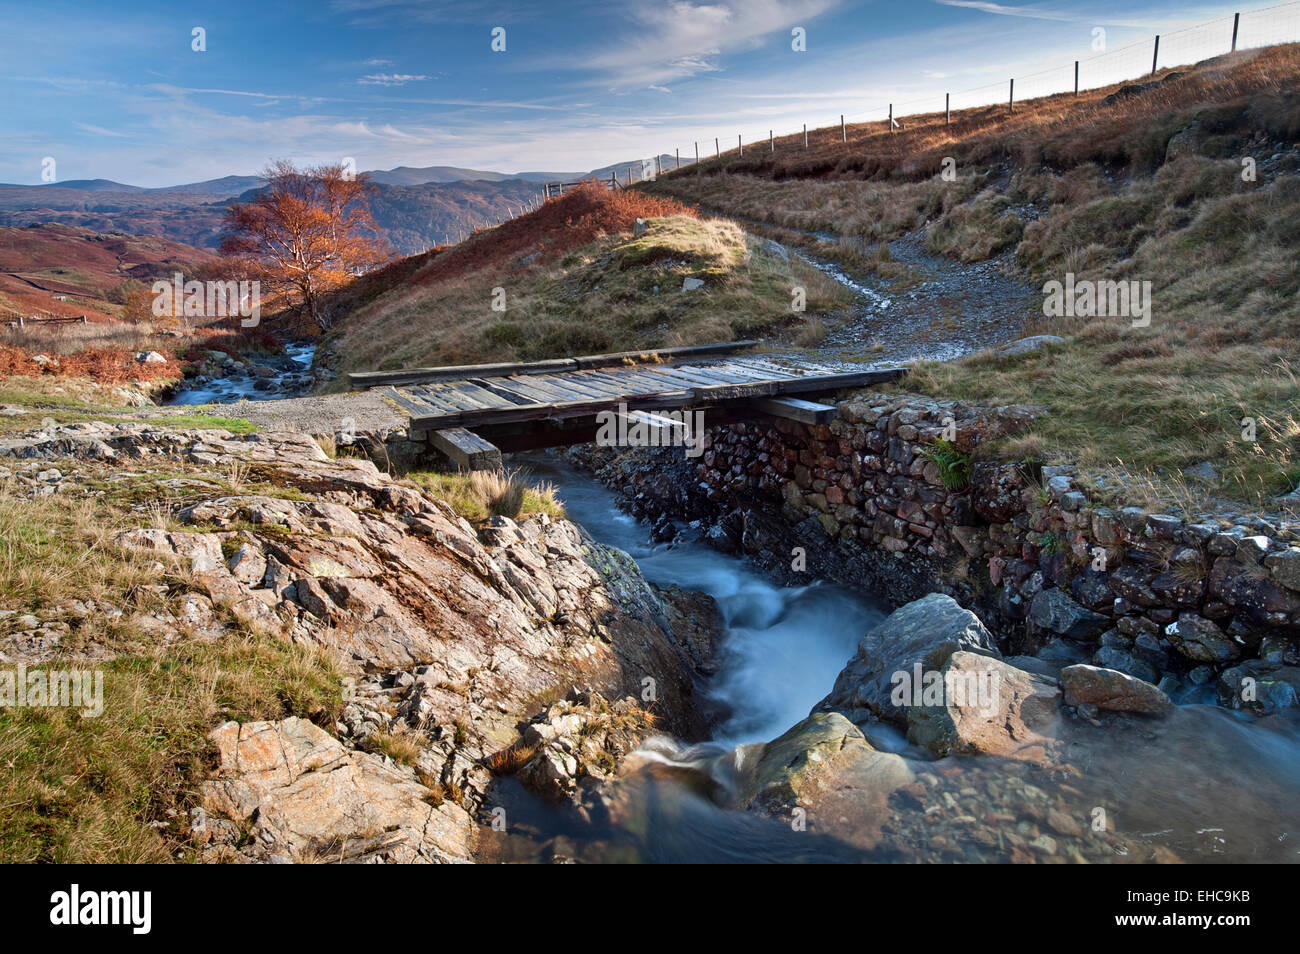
475, 413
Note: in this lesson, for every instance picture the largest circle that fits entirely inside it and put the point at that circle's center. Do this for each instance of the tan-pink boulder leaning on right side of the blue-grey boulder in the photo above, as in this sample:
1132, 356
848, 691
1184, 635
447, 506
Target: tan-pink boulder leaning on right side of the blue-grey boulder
987, 706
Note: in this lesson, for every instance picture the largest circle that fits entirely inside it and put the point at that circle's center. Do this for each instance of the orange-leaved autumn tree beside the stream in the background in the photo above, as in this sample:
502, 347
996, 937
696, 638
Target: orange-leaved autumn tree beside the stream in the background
310, 231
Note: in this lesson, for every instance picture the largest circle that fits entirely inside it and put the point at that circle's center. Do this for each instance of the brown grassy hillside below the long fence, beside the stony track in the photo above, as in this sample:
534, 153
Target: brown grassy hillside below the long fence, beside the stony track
1136, 184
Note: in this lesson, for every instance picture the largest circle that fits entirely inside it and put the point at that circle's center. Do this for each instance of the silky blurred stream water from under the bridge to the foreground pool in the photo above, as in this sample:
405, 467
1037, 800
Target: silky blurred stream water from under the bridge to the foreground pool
1199, 784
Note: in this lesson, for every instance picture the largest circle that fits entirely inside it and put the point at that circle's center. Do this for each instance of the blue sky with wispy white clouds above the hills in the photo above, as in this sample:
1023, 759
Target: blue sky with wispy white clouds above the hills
114, 90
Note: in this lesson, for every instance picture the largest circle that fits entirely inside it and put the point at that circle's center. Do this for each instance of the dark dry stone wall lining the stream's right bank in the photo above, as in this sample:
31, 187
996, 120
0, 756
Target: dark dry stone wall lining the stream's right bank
1188, 604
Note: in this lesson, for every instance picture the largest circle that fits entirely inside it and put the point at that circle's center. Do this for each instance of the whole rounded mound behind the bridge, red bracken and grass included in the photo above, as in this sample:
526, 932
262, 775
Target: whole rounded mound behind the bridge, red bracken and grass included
574, 279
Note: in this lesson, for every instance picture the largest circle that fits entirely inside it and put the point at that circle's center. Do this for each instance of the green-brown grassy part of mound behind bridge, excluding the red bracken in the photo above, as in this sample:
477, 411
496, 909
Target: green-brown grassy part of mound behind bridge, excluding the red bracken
617, 293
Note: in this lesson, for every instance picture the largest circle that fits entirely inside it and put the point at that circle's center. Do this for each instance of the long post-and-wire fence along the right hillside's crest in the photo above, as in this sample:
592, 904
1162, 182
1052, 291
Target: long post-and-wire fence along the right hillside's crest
1251, 31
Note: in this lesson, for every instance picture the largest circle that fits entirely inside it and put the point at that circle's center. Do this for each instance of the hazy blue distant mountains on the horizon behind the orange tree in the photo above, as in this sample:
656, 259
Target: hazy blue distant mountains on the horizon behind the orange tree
414, 207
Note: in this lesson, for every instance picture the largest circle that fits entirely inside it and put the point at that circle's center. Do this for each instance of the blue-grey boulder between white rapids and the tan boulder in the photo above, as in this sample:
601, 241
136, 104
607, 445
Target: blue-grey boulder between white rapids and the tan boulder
916, 640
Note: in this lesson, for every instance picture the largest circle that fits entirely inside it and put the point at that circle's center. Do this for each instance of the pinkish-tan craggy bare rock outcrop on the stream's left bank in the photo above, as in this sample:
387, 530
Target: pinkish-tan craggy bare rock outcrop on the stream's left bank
456, 636
